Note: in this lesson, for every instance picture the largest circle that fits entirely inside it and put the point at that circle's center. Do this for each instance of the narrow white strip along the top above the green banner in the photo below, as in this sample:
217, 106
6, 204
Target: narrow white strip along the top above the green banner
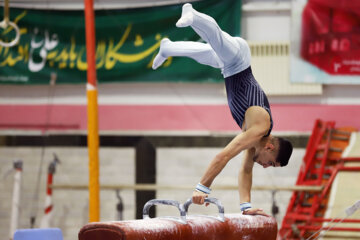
98, 4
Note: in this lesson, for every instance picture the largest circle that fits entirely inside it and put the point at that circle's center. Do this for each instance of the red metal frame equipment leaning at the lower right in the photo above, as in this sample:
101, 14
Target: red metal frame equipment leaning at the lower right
322, 162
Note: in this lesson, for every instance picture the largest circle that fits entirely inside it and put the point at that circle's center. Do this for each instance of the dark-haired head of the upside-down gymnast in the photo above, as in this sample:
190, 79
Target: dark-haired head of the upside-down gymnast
276, 152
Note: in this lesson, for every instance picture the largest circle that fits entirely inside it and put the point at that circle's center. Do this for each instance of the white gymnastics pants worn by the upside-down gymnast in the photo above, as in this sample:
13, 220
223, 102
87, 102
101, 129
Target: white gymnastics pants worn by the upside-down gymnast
230, 54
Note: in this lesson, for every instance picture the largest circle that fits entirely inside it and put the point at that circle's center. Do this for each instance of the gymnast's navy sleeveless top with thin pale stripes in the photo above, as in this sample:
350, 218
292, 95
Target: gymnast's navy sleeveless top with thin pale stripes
243, 91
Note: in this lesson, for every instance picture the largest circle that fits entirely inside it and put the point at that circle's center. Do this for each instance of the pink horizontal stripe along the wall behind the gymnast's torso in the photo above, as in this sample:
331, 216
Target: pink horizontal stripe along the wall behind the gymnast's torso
287, 117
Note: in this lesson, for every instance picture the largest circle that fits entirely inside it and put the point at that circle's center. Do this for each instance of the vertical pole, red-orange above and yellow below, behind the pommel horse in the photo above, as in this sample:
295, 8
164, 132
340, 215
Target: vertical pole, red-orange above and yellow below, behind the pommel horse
92, 108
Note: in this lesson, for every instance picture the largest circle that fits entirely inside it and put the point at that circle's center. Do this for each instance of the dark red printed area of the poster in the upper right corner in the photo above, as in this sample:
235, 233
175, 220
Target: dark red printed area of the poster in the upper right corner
330, 36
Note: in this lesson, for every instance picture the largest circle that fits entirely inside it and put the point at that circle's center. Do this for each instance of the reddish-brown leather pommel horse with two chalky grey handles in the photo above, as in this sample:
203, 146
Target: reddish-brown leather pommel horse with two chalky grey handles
185, 227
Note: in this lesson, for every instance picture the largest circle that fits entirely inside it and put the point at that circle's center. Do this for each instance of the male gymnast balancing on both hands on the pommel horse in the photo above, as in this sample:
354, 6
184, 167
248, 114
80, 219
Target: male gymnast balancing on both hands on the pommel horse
248, 103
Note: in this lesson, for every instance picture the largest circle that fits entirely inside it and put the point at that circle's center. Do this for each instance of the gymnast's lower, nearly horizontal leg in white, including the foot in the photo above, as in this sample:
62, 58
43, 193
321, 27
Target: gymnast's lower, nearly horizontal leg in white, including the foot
200, 52
